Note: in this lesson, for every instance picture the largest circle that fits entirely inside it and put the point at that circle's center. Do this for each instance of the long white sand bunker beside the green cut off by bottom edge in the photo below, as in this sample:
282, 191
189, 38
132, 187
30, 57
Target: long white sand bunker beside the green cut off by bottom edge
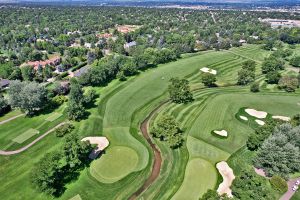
228, 177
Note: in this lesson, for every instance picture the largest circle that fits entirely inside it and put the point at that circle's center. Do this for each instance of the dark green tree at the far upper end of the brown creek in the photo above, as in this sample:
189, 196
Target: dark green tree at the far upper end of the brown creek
179, 91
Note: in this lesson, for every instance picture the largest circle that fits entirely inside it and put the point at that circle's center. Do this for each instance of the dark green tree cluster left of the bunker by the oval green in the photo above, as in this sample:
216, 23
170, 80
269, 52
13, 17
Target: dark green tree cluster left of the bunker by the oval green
60, 167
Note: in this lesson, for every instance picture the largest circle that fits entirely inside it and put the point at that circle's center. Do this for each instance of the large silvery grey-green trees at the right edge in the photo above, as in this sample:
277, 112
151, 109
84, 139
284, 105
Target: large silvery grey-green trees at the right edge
279, 154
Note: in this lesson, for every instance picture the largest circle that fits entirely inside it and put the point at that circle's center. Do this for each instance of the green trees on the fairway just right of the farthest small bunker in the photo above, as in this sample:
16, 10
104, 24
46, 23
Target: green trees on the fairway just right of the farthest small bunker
247, 74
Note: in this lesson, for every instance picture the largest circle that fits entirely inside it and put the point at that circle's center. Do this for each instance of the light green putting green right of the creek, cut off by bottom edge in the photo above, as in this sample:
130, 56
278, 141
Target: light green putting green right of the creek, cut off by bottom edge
200, 175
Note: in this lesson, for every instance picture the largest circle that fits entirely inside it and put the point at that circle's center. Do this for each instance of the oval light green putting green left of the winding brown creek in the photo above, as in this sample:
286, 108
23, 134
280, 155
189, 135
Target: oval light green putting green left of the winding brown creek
115, 164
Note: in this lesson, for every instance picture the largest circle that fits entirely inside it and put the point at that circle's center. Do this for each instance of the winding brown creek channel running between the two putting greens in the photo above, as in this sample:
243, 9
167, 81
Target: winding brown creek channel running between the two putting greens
157, 154
